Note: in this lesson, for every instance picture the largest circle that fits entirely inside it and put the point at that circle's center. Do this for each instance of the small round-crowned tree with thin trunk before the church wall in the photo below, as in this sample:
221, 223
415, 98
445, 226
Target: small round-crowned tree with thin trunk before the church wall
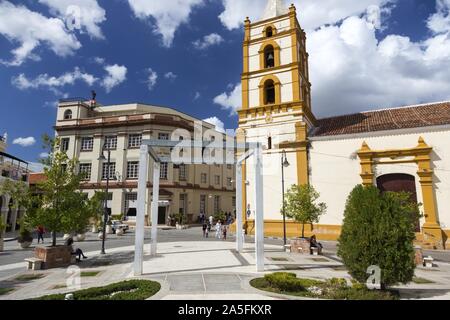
300, 204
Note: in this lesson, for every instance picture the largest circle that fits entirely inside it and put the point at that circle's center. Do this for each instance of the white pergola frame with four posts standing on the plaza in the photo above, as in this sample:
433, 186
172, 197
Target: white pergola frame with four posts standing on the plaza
148, 151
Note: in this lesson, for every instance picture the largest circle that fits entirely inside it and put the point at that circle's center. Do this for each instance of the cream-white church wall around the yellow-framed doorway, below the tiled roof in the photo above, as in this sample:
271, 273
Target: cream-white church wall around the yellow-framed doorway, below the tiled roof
335, 169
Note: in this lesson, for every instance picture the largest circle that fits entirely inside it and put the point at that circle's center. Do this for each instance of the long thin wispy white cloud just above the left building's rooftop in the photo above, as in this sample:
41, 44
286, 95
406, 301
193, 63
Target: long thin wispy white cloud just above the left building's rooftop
44, 80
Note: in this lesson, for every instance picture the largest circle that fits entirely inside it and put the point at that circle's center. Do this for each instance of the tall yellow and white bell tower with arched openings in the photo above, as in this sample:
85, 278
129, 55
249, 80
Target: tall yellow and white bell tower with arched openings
276, 99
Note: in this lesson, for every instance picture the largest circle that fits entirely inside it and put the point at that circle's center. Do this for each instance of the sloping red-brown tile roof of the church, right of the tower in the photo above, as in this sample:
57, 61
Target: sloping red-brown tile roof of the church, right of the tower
426, 115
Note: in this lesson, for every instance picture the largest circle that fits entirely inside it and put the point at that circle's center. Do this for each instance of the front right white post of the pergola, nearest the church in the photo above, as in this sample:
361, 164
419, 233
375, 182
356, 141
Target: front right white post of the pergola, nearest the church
259, 214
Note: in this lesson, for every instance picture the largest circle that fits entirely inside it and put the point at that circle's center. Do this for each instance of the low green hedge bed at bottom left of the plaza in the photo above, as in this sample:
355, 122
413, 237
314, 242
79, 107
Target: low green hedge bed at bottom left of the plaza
125, 290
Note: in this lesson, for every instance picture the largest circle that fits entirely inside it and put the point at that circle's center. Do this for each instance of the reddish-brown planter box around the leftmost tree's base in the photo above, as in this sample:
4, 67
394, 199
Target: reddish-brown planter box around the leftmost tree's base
54, 257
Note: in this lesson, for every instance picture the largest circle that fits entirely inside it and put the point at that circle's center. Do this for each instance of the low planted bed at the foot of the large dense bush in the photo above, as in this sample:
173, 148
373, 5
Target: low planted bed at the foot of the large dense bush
335, 289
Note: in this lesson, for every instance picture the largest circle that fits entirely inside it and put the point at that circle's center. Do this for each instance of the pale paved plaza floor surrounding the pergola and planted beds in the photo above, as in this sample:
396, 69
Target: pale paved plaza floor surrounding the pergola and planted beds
189, 267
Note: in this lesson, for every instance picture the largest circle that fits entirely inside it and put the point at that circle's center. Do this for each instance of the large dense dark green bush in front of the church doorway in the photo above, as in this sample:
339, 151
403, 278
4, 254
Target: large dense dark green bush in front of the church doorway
379, 230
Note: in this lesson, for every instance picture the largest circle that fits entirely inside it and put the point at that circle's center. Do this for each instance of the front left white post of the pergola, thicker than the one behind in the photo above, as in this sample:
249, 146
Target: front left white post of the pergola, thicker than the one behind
140, 217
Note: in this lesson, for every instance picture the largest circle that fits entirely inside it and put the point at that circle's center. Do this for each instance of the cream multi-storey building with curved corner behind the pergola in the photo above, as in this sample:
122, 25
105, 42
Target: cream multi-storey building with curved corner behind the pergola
187, 189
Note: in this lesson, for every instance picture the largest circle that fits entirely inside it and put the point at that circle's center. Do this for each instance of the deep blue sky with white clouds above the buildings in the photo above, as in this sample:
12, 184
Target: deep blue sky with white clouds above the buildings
168, 61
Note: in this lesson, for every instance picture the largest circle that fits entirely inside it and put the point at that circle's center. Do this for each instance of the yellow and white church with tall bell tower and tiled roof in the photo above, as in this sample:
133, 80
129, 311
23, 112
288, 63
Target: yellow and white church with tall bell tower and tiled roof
397, 149
